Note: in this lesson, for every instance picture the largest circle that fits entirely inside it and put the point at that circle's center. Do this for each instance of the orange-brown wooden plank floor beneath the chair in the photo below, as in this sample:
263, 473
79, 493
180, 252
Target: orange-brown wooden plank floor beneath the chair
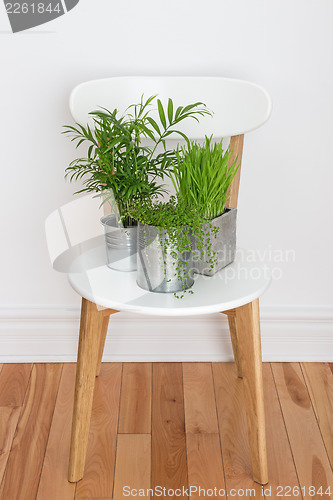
165, 424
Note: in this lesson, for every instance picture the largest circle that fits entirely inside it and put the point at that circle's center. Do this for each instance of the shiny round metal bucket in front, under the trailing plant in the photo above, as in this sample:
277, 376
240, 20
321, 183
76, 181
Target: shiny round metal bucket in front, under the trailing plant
157, 263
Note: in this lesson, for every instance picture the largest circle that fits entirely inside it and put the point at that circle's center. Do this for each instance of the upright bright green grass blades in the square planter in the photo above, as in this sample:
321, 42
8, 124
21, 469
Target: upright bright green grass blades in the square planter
202, 175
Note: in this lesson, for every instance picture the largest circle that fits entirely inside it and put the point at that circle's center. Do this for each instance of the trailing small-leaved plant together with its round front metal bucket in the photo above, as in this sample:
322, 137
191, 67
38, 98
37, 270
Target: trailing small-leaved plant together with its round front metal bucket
165, 244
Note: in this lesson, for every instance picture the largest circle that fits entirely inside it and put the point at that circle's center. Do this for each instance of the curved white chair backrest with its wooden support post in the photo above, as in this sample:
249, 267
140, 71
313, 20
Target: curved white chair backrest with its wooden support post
238, 106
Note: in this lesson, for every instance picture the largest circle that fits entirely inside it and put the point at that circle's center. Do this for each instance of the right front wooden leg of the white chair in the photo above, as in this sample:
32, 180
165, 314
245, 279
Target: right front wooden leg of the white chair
248, 333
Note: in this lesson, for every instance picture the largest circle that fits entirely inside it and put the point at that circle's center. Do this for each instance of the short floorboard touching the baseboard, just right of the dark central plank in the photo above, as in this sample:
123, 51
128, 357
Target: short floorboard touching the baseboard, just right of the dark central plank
199, 399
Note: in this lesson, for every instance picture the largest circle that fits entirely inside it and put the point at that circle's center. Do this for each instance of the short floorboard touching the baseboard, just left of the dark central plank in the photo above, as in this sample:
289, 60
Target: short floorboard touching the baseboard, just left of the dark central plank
135, 401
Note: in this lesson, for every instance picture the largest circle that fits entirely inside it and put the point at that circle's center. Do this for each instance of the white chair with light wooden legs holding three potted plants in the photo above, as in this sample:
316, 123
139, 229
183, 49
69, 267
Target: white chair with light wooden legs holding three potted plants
238, 107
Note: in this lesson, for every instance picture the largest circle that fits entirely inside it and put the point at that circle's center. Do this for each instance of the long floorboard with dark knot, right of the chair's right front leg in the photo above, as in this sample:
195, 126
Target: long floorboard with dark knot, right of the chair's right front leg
308, 449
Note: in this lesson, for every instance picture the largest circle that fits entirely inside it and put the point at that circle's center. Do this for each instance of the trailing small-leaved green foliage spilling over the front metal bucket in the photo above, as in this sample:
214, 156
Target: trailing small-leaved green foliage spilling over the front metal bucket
176, 222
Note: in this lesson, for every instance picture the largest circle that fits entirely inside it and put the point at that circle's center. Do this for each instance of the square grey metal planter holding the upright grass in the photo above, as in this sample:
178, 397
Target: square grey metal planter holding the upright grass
224, 244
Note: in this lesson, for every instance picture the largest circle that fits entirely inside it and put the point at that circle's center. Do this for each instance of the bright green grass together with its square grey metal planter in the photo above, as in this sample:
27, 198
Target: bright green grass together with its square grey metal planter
201, 176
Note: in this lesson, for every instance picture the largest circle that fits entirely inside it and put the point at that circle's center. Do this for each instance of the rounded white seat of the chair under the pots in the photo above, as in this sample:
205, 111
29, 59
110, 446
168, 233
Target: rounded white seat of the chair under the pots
238, 284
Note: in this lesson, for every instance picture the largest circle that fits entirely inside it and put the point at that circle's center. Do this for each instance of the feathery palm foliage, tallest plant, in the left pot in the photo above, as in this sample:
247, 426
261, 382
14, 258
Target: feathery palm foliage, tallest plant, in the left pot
117, 160
